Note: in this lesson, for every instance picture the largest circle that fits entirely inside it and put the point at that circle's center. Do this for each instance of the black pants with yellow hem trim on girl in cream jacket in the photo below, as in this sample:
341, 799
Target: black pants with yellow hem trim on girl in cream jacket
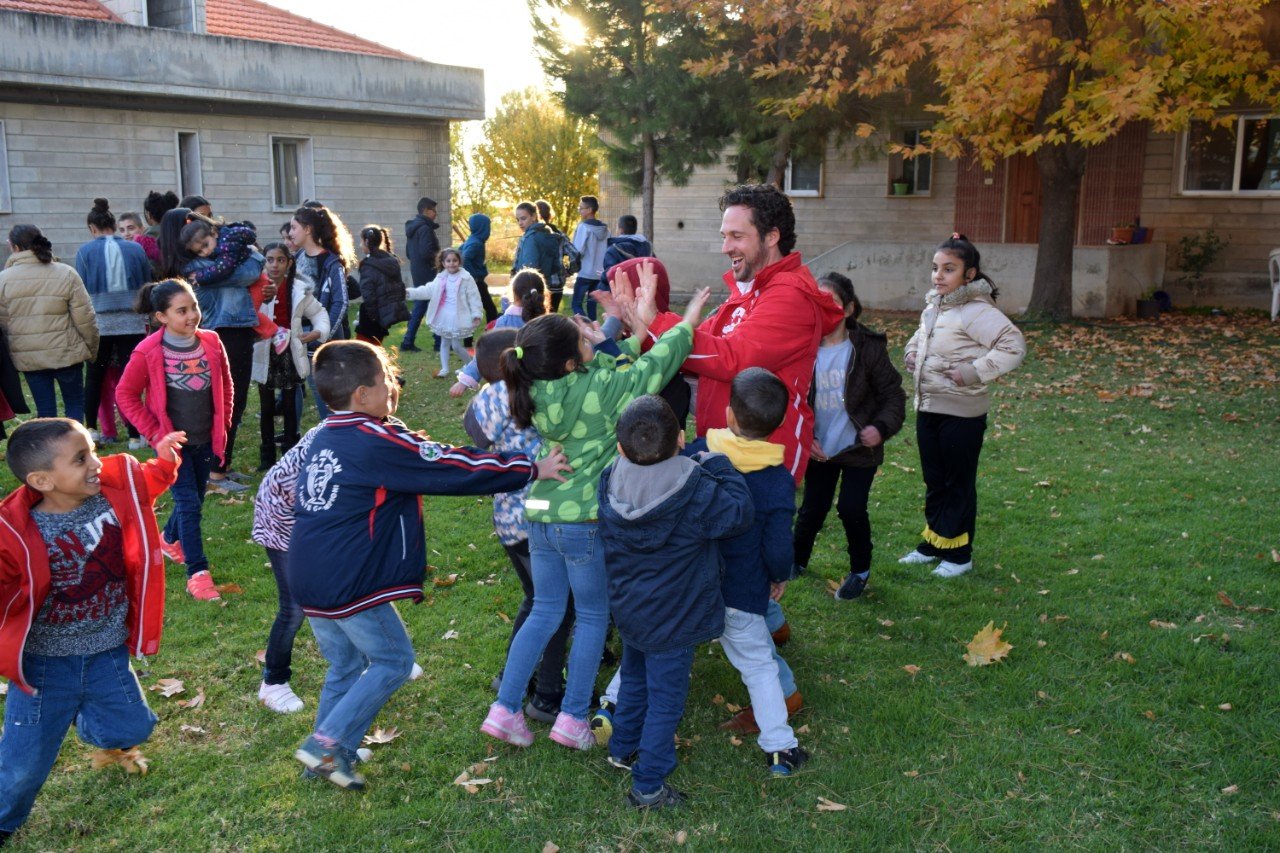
949, 460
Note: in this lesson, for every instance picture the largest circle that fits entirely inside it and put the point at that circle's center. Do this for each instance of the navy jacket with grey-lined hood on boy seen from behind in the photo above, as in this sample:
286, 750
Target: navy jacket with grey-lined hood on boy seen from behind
660, 526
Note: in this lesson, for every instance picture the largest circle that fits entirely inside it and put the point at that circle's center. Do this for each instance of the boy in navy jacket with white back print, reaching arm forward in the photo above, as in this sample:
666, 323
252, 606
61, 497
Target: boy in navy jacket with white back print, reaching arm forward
359, 544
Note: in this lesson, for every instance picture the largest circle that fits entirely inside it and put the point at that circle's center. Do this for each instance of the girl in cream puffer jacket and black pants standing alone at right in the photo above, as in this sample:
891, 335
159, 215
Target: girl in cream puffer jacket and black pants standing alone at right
963, 344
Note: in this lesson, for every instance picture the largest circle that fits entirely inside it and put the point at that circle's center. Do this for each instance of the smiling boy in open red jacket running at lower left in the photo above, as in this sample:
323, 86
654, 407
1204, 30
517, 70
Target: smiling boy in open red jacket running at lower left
81, 590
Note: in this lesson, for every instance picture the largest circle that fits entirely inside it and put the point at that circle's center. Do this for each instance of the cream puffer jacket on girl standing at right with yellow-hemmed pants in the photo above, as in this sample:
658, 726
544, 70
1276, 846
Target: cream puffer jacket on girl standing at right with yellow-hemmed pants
963, 330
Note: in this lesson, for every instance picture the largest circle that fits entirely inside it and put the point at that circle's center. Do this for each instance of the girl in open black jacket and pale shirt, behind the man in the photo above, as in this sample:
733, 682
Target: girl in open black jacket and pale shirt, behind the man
858, 404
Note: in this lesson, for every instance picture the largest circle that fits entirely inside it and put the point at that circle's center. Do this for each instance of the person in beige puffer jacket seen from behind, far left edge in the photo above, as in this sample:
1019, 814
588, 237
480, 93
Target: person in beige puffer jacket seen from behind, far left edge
49, 320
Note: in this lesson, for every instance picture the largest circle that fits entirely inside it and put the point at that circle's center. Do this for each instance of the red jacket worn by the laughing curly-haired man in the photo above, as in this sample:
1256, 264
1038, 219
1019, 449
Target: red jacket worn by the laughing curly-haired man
776, 326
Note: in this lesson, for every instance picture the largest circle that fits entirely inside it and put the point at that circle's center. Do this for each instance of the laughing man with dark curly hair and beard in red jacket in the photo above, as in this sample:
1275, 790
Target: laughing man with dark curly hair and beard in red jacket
775, 318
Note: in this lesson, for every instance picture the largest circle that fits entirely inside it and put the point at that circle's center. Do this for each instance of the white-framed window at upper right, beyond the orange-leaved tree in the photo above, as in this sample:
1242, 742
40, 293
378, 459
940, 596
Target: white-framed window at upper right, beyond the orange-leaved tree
1241, 158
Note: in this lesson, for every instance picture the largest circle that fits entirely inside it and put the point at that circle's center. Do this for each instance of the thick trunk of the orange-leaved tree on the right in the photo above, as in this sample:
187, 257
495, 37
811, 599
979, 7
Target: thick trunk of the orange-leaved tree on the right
1062, 174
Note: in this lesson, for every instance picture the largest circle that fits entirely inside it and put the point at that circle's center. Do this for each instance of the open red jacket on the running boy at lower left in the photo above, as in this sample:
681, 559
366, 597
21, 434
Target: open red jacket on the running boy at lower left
131, 489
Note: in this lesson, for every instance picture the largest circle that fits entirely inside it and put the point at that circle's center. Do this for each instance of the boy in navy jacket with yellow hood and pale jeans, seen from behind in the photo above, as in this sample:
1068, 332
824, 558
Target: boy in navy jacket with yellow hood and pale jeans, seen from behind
758, 563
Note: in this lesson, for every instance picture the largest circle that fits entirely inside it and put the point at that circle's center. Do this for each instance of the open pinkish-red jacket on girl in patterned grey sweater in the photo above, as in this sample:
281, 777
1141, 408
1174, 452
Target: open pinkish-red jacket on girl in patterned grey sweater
145, 376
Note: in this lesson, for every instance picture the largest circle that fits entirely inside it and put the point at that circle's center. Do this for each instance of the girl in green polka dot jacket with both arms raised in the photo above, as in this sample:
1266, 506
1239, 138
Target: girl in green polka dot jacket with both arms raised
574, 398
